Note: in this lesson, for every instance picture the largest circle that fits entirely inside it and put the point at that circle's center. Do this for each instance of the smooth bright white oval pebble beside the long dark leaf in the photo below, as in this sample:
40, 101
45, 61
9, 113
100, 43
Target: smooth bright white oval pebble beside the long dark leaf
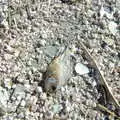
81, 69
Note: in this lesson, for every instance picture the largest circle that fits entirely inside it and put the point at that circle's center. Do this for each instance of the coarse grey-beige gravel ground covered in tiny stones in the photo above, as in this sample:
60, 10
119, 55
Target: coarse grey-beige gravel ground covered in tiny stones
31, 34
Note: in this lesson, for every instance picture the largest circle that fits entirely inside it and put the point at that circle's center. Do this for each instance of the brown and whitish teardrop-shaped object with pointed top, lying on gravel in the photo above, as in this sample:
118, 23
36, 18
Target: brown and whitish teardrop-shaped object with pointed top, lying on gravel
58, 71
